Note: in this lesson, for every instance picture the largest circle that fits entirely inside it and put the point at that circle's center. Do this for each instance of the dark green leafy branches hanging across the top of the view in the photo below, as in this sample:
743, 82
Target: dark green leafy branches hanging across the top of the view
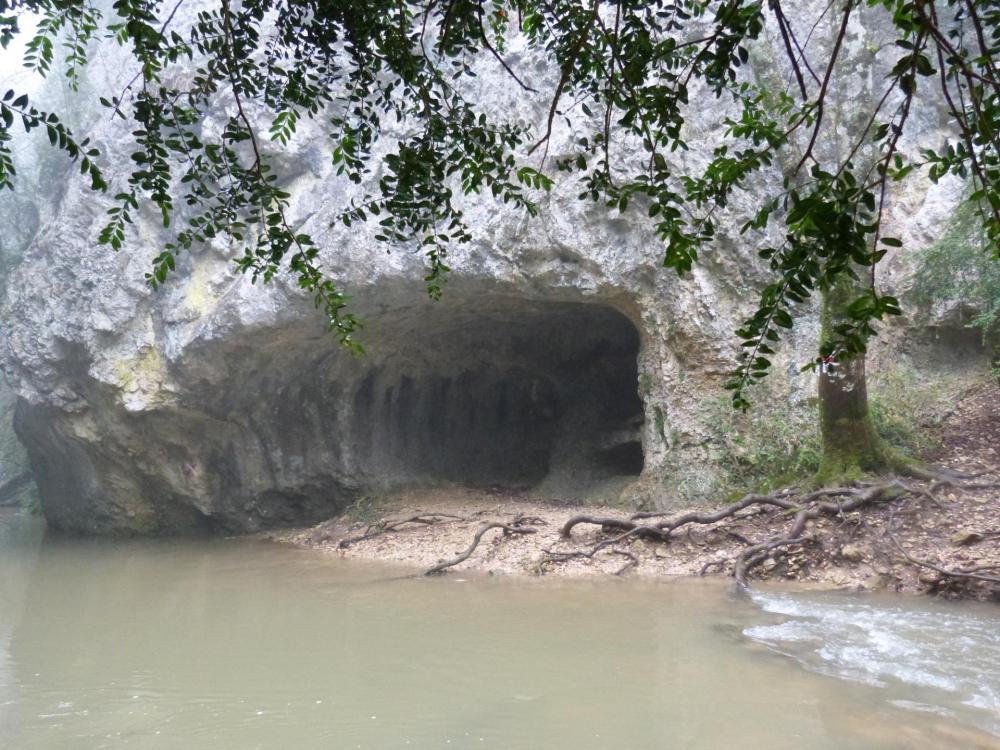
626, 71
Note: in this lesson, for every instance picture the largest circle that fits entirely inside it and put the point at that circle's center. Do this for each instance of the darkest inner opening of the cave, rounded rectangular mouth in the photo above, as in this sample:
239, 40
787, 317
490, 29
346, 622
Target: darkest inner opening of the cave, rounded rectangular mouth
500, 392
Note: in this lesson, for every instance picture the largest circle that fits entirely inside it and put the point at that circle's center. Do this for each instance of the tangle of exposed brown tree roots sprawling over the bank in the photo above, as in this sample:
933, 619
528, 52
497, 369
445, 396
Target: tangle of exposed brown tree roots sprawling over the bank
787, 517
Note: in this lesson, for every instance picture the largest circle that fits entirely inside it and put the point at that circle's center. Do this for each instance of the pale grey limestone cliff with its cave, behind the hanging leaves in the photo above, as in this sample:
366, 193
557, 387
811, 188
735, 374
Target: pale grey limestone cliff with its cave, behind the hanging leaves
562, 356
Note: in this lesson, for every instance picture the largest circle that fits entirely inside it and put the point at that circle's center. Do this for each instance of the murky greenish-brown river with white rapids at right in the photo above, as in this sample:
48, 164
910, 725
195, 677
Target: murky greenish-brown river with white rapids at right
235, 644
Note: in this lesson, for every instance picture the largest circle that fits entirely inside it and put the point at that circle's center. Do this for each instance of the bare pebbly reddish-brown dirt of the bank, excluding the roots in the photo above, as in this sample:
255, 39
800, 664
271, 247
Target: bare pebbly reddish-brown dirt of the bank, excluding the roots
950, 527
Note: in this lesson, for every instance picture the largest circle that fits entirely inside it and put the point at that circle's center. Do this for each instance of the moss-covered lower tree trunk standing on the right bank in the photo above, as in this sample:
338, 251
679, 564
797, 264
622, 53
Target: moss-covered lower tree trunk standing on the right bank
851, 445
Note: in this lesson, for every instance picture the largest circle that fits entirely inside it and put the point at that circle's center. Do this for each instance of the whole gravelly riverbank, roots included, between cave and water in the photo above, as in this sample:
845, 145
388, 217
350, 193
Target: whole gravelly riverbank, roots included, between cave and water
927, 529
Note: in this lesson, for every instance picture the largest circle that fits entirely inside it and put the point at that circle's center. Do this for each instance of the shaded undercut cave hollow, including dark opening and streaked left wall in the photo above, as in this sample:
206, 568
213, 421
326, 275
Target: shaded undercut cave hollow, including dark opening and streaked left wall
277, 425
